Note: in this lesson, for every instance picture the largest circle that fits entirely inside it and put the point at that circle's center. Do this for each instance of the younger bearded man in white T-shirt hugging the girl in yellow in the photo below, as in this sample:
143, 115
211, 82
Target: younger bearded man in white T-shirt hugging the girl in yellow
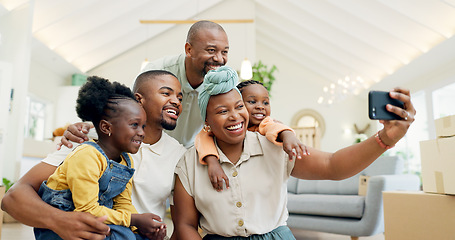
160, 95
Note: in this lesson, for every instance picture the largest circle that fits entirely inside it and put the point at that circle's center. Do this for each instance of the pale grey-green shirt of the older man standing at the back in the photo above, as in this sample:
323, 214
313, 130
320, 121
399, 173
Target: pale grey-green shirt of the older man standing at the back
190, 121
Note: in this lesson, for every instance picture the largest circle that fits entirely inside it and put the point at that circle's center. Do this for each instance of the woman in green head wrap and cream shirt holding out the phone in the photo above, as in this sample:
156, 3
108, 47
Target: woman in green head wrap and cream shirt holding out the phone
254, 207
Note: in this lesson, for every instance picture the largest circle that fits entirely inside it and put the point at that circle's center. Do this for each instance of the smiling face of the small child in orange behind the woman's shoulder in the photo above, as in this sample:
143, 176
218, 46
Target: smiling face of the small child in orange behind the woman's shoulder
257, 102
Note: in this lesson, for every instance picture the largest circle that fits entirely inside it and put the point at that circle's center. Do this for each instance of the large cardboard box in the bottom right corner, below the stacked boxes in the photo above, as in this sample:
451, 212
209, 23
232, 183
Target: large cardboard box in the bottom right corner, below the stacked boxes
418, 215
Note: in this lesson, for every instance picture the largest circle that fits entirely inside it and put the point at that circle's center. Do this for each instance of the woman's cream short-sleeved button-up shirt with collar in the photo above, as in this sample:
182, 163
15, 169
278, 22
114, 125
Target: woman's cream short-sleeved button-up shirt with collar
256, 201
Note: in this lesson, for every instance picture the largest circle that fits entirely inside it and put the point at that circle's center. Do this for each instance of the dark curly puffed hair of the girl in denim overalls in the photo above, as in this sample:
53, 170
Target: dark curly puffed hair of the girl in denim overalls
99, 97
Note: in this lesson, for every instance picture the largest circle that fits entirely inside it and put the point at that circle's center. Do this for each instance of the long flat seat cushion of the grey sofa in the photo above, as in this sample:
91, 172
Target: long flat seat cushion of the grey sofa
351, 206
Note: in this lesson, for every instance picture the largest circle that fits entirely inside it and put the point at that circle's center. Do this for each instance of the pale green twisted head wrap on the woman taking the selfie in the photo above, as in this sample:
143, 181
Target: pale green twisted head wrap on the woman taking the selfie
221, 80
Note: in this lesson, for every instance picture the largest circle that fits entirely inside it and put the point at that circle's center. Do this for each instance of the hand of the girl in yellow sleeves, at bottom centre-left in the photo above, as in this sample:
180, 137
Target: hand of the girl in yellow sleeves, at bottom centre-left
149, 225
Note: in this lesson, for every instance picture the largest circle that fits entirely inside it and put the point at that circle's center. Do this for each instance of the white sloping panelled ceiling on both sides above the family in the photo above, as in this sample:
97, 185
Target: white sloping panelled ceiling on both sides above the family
331, 38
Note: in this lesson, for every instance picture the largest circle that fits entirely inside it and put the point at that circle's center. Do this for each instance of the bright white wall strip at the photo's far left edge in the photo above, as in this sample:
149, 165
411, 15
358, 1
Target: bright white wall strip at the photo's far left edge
15, 50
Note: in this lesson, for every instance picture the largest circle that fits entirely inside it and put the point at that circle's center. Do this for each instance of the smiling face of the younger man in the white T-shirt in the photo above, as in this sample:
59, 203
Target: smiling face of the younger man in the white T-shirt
161, 98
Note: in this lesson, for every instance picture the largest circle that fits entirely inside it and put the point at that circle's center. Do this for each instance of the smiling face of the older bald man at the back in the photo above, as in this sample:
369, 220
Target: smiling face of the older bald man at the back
208, 50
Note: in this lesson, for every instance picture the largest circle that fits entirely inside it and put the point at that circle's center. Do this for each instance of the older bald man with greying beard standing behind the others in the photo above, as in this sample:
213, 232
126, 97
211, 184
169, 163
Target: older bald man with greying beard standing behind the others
206, 48
